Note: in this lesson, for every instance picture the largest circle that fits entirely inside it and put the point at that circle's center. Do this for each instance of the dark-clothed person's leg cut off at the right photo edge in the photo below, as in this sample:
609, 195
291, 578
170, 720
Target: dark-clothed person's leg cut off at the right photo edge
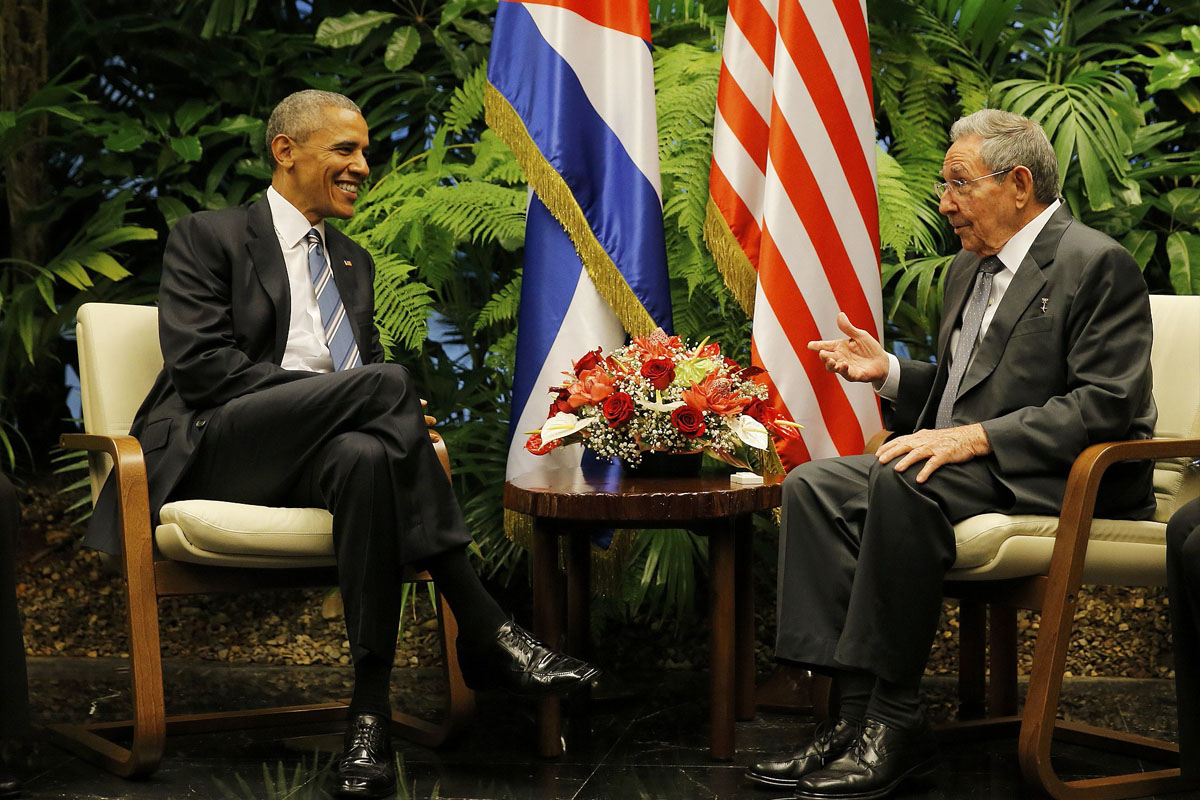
1184, 590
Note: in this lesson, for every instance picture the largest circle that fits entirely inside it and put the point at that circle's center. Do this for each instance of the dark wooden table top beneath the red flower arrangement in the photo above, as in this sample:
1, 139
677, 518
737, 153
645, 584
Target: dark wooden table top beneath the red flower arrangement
569, 495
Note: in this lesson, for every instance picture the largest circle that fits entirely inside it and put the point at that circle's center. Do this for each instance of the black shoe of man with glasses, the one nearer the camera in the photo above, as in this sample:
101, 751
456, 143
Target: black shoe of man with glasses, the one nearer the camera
874, 766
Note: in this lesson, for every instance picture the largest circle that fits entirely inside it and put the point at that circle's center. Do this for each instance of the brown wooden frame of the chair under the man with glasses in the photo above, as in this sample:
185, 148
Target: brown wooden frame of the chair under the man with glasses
1055, 596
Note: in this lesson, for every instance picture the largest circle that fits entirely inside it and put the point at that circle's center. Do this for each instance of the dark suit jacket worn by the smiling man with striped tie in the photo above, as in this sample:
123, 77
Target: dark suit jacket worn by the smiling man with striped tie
224, 311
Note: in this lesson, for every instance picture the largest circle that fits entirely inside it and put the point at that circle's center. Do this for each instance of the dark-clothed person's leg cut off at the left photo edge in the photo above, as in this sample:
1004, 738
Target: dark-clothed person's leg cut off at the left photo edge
14, 694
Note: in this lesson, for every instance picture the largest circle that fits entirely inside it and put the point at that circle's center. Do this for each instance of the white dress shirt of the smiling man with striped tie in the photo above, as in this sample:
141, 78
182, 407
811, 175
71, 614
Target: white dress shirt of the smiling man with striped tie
307, 348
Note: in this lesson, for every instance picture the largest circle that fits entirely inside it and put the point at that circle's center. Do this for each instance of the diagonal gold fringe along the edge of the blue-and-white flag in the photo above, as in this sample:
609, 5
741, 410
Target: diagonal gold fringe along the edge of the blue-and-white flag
557, 197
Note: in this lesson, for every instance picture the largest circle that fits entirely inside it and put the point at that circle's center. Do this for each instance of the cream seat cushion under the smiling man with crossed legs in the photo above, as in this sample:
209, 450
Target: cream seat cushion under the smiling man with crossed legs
214, 532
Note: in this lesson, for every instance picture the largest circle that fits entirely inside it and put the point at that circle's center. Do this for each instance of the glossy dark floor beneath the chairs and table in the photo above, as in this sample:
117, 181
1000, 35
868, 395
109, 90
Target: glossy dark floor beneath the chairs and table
650, 745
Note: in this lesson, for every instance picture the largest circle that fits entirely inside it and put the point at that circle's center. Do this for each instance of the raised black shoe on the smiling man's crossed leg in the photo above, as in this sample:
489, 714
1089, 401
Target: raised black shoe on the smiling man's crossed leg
519, 664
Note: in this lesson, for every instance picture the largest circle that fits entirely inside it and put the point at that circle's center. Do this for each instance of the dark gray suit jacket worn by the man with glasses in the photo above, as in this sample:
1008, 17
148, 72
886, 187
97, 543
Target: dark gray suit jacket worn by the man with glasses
1047, 384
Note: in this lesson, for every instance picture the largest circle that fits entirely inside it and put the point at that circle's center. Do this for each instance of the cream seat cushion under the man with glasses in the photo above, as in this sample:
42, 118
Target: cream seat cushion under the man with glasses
995, 546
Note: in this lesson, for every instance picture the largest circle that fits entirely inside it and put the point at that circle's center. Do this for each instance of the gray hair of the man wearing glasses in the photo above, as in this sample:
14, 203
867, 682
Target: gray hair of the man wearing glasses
1013, 141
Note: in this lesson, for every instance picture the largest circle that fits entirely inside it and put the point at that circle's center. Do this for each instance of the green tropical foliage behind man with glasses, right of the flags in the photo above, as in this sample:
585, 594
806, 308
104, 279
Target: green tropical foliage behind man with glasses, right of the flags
1113, 85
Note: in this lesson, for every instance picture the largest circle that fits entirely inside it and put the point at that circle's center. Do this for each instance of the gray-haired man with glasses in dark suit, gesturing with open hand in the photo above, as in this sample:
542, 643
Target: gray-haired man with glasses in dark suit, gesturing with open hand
1043, 350
